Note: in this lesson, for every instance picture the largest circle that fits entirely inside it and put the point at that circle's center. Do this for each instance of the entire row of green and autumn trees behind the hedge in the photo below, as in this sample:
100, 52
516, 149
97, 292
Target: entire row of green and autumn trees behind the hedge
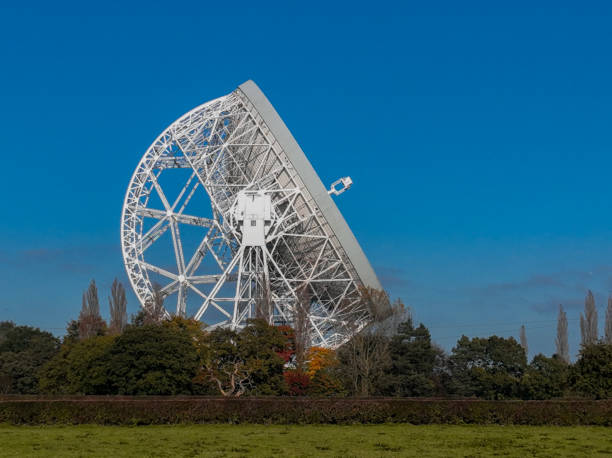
392, 357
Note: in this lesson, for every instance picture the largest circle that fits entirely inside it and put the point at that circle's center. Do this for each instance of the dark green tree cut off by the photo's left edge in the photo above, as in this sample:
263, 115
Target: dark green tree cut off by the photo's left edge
23, 351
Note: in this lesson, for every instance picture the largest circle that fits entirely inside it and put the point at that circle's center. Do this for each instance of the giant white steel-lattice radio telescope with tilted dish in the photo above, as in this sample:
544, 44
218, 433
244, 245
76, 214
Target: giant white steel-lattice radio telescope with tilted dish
227, 220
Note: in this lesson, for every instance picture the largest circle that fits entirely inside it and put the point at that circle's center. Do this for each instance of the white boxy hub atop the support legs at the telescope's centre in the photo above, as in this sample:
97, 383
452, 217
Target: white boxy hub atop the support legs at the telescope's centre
253, 216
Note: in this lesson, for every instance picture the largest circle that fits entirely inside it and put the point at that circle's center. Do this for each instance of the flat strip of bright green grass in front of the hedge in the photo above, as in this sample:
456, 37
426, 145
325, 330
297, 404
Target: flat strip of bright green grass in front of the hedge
311, 440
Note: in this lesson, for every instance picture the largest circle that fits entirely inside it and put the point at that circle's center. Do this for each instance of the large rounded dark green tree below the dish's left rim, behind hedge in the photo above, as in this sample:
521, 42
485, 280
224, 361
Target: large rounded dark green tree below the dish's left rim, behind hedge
153, 360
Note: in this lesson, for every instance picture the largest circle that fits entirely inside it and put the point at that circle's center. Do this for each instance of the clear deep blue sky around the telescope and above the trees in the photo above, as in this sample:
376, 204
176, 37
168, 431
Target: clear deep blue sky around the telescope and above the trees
478, 138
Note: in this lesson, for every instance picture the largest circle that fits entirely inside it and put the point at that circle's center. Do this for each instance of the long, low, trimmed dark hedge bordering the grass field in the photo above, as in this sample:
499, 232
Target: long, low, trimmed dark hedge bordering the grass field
174, 410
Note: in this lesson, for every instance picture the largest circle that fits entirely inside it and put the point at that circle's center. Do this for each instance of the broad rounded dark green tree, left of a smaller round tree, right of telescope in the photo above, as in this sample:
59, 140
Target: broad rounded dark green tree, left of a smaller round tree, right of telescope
490, 368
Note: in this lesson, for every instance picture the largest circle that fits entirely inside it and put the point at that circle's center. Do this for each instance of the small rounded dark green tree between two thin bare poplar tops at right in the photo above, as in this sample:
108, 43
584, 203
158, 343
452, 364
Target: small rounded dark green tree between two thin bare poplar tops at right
545, 378
